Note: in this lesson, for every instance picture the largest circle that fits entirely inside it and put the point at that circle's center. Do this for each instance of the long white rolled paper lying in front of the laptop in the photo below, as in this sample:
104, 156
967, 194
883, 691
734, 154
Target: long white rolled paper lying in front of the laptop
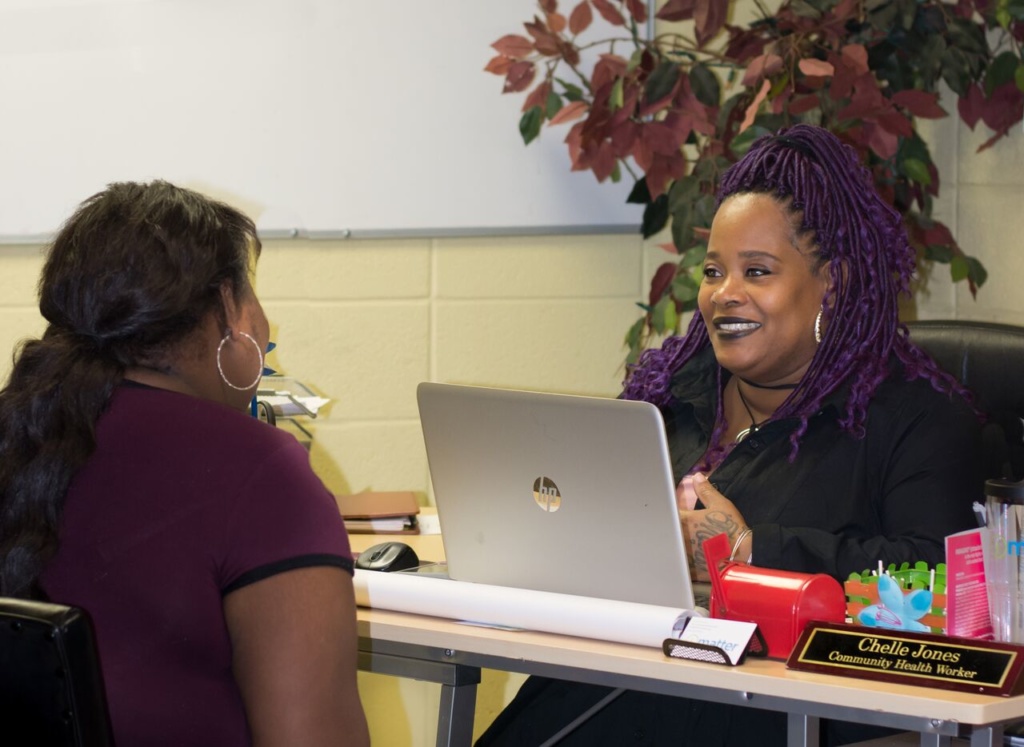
625, 622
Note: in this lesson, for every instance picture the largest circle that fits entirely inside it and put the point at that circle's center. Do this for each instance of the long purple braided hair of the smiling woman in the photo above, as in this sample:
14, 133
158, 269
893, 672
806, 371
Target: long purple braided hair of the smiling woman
862, 243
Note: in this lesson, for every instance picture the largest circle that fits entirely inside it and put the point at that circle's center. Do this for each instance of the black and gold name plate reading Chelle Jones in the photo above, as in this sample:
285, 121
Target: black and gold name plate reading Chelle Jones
922, 659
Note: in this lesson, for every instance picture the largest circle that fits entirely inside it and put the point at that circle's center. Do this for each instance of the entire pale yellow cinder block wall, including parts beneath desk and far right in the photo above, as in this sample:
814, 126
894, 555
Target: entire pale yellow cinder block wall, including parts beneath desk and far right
363, 322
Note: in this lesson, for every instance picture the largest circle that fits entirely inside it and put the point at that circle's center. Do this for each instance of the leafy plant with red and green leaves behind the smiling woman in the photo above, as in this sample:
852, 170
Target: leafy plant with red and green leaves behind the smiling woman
675, 109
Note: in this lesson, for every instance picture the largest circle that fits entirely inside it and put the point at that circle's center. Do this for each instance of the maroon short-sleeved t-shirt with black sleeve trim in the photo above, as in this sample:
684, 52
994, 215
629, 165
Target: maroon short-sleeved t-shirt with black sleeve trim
183, 503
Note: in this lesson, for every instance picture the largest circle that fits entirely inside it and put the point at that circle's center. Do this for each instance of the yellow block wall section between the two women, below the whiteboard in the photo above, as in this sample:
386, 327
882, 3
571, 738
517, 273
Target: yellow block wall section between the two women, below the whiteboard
363, 323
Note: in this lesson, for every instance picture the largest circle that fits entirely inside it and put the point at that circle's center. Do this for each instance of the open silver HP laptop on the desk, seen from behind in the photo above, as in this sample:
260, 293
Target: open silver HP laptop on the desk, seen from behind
556, 493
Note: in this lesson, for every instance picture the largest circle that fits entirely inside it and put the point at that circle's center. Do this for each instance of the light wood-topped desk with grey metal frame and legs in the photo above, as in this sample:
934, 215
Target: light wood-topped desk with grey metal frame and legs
453, 654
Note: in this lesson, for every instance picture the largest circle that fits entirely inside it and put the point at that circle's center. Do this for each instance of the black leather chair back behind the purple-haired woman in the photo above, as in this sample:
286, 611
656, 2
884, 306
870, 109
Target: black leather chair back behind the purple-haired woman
989, 359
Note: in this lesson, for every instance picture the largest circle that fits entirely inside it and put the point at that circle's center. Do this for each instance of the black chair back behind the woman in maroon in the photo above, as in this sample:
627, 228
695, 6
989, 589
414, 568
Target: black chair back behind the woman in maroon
52, 686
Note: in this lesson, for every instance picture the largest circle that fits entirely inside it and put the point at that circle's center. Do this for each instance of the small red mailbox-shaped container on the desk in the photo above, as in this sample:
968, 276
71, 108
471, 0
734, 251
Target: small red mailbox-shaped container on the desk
782, 603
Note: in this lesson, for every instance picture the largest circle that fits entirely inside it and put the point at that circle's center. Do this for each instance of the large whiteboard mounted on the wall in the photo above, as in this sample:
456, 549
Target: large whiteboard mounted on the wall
319, 118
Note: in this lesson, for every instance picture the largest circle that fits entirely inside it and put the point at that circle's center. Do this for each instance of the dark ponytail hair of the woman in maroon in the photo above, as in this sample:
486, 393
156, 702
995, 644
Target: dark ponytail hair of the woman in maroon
133, 274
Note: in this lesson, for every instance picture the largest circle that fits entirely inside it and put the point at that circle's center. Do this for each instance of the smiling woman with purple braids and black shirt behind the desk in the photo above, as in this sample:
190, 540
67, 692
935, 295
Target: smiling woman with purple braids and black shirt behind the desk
802, 422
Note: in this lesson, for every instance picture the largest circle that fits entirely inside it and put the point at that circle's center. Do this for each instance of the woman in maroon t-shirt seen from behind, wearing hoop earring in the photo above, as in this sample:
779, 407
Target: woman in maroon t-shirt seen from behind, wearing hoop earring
135, 484
